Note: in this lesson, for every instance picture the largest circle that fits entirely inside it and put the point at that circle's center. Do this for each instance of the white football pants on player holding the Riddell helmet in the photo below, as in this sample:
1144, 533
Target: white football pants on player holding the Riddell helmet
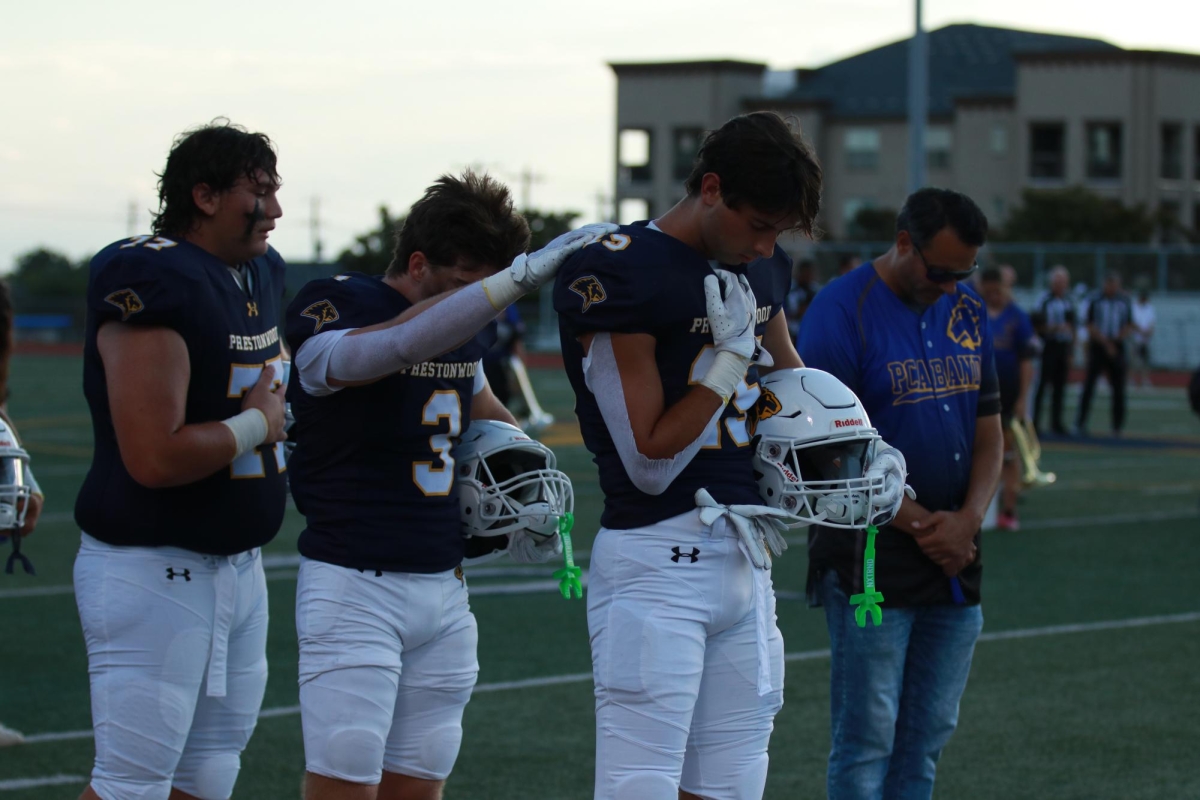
683, 639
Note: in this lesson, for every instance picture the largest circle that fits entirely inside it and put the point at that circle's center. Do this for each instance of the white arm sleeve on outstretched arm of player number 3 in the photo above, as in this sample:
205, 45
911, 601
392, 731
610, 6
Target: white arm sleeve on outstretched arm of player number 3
377, 354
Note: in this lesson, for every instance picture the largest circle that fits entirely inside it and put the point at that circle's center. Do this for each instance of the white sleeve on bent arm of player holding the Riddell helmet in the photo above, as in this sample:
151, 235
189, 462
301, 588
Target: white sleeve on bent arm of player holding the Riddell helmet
601, 374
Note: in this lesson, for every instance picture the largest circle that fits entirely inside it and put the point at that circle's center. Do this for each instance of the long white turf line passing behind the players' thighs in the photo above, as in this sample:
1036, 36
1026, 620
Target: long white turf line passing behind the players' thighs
805, 655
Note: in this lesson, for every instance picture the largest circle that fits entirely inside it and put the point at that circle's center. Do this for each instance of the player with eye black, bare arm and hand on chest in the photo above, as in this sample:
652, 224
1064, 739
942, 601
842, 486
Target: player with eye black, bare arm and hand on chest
187, 480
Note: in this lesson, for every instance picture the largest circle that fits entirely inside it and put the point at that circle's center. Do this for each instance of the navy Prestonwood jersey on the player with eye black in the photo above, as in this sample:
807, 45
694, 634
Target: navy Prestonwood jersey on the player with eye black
231, 334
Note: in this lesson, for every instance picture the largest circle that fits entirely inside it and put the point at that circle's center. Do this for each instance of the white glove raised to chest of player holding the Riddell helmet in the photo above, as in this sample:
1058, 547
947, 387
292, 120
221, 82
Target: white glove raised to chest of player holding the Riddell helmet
731, 318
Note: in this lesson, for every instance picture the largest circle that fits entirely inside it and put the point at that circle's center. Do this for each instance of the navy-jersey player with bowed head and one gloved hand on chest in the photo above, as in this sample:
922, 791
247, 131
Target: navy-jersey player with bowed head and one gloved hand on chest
659, 324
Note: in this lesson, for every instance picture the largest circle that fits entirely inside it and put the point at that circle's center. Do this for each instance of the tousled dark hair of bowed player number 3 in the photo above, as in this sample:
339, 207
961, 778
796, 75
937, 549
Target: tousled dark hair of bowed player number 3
469, 219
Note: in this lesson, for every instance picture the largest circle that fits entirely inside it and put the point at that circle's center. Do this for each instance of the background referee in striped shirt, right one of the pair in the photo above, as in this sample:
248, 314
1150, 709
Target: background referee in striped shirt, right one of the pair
1109, 324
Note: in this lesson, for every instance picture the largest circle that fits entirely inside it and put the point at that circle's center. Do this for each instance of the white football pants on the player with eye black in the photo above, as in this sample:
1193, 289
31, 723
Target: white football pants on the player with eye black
177, 654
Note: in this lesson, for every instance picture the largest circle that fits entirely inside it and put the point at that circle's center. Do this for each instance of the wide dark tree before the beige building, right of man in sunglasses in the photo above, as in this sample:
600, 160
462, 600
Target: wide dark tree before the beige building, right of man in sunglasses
1077, 215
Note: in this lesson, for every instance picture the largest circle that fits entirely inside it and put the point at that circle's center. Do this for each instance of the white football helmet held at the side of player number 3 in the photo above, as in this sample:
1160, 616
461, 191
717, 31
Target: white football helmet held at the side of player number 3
507, 483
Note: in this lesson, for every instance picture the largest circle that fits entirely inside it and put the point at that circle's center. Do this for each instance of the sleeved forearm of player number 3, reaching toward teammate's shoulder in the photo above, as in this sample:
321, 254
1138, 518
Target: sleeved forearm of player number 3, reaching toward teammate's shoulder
370, 354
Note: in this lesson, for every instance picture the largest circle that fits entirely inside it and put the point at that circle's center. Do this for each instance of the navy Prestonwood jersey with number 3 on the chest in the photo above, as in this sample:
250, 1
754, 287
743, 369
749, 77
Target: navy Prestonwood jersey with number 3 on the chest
373, 471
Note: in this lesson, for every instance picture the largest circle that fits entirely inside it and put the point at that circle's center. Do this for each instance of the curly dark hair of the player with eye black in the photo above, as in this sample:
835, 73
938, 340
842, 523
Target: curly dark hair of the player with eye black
217, 154
